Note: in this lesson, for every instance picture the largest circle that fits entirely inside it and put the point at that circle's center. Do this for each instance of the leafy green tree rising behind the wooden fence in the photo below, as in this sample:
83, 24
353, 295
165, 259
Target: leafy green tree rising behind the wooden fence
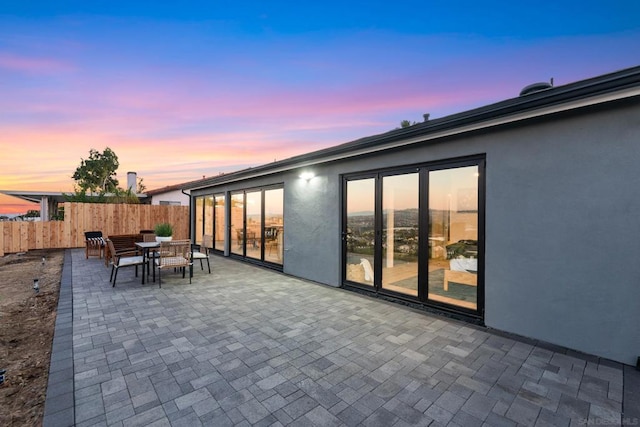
98, 172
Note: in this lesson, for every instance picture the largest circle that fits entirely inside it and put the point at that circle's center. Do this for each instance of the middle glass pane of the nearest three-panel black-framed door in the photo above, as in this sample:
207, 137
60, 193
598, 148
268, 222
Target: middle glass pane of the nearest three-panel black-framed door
400, 233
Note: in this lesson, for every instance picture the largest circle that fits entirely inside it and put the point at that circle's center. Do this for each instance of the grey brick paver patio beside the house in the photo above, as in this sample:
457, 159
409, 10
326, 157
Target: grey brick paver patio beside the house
249, 346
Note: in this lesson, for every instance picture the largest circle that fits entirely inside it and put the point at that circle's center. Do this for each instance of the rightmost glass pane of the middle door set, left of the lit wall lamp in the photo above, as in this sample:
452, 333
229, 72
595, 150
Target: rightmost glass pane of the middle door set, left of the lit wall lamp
273, 225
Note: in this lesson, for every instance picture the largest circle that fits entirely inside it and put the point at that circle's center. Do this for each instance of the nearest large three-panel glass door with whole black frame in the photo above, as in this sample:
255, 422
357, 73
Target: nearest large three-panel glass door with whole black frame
417, 234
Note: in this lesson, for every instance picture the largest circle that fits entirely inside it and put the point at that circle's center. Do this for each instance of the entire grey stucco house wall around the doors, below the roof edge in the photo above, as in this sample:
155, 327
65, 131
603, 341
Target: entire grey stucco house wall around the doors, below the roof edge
561, 226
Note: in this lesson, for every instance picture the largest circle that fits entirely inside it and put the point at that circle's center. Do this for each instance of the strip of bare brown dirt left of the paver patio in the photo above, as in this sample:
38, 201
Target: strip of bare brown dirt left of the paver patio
27, 321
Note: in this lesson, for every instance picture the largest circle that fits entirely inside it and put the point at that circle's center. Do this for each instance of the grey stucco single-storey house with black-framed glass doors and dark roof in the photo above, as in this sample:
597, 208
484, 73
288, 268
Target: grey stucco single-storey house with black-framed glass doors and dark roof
521, 215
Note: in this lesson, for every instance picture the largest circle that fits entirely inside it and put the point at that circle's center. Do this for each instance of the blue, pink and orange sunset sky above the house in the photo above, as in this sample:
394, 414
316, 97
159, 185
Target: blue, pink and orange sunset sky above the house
179, 90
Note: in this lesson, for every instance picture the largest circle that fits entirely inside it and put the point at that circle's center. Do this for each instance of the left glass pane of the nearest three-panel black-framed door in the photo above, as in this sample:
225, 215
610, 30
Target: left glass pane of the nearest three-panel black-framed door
360, 232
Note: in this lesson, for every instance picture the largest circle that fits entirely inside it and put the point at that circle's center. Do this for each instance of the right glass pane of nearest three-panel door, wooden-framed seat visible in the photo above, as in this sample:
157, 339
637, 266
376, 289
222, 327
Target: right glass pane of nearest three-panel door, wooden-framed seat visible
453, 236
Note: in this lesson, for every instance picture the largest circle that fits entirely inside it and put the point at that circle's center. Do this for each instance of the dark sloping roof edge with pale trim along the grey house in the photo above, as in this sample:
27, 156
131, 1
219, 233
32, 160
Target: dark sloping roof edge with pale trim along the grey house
593, 91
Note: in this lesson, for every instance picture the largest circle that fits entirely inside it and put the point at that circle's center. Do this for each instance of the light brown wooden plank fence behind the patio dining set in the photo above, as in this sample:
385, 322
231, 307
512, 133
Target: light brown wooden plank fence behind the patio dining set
111, 219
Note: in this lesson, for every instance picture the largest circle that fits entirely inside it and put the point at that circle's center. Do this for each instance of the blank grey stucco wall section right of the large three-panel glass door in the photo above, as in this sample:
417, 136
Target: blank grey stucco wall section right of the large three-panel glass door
561, 230
